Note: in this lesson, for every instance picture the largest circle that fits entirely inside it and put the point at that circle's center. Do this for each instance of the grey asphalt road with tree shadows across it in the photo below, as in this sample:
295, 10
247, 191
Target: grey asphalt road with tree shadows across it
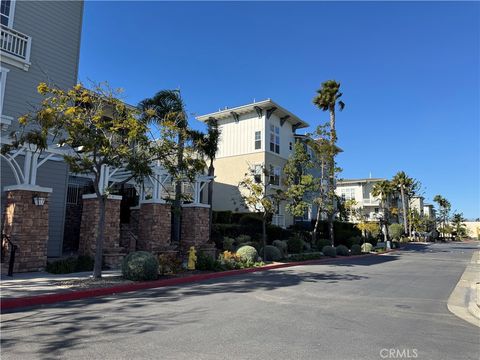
349, 310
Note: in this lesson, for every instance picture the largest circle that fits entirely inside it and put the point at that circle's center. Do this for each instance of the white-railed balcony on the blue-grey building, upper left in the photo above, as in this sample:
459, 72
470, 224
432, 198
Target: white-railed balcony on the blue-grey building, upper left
15, 47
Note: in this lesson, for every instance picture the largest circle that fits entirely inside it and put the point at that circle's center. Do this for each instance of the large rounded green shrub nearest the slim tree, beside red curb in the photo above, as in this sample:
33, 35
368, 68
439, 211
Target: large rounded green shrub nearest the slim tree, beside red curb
140, 265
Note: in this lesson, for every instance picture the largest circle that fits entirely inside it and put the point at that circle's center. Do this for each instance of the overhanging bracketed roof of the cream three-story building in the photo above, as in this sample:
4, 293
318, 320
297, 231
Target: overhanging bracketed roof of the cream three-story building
264, 105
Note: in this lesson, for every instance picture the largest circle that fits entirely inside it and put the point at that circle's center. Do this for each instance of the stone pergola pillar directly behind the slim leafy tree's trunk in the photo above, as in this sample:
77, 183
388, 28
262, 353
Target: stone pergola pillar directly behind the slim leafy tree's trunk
89, 225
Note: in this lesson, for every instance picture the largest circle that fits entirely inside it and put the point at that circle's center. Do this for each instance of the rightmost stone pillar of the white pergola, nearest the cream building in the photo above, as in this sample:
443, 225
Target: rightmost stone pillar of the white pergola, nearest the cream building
194, 229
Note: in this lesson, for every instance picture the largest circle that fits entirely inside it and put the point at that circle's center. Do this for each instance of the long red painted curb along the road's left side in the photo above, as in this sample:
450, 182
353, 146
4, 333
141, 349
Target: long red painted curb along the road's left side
7, 304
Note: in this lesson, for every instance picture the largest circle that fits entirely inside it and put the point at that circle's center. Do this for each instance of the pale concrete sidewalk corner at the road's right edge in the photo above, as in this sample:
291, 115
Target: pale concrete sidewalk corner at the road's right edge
464, 301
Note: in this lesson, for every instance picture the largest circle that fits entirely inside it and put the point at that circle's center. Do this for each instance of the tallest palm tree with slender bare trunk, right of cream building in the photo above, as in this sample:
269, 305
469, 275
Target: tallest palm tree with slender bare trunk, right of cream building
328, 99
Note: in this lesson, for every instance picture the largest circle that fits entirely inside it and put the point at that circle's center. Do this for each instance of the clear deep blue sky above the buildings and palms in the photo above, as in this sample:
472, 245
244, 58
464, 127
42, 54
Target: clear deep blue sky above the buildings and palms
409, 72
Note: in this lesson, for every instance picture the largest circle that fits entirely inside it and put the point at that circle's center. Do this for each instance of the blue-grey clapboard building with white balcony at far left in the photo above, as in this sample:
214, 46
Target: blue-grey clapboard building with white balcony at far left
39, 42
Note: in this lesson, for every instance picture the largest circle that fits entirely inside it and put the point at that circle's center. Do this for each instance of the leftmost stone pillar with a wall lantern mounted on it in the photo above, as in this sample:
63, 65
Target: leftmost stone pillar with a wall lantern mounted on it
27, 226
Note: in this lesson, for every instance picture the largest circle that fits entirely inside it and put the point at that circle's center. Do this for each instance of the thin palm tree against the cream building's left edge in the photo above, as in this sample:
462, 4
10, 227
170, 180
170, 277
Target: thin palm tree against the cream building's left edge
207, 145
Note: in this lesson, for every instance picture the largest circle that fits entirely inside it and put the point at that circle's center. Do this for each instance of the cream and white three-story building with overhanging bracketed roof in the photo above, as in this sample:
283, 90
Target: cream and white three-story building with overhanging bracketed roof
253, 135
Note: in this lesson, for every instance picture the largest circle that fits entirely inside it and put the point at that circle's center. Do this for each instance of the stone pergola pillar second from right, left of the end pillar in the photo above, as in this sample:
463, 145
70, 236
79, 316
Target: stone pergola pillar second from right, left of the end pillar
154, 227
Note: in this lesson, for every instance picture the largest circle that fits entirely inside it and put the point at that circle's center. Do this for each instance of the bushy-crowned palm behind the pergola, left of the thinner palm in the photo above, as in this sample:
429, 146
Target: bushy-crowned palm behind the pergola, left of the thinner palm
169, 106
